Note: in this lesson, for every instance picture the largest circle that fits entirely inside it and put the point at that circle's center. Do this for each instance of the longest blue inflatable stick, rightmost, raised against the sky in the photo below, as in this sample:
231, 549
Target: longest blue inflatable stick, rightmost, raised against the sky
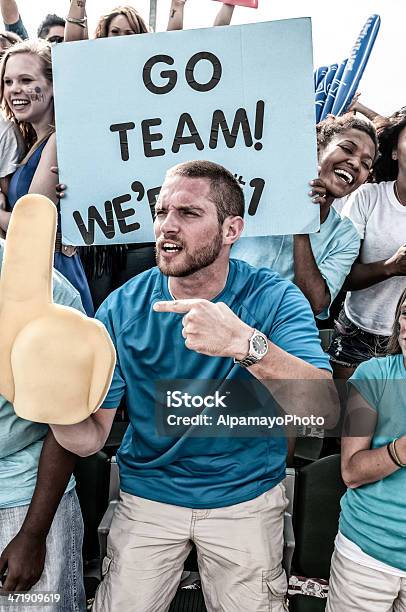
355, 65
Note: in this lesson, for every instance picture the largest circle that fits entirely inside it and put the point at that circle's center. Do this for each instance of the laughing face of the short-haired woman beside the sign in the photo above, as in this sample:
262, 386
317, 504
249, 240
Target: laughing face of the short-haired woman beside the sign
346, 161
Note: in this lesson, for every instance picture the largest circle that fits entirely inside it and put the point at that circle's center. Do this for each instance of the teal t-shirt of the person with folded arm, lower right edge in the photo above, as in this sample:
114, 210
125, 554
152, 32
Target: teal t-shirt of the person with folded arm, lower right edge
373, 516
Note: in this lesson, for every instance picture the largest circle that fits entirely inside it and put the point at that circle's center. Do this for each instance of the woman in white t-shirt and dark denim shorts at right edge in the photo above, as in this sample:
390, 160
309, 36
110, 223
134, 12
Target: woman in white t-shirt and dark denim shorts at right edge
378, 275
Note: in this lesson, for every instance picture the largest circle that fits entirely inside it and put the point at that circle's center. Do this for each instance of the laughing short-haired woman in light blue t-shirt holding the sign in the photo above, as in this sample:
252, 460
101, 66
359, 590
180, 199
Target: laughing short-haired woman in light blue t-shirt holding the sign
319, 263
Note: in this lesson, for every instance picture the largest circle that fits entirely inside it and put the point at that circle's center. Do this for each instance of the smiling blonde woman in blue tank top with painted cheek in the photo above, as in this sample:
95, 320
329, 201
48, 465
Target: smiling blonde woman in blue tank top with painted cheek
26, 94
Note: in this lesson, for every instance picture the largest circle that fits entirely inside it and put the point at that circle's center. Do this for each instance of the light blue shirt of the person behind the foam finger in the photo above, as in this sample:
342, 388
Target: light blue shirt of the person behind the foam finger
21, 440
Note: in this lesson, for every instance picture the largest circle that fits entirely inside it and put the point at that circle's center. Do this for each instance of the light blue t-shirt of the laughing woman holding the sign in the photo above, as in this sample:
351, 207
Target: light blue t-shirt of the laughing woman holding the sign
335, 248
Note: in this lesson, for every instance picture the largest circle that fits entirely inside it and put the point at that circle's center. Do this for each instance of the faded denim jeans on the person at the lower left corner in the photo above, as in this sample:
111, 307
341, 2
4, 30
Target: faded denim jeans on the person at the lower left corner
63, 571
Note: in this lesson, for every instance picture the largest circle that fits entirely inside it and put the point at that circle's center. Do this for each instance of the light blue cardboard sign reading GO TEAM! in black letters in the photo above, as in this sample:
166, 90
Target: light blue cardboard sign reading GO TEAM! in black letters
129, 108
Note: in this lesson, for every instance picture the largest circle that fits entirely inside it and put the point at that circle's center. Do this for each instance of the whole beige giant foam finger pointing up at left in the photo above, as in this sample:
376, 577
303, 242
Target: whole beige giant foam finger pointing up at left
56, 364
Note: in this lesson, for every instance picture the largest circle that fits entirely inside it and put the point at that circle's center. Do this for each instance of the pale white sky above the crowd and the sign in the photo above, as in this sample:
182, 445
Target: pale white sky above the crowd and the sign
335, 29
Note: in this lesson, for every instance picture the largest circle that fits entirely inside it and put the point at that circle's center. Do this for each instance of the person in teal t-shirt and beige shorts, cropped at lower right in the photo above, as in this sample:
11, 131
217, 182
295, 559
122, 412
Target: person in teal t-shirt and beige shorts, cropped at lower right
368, 570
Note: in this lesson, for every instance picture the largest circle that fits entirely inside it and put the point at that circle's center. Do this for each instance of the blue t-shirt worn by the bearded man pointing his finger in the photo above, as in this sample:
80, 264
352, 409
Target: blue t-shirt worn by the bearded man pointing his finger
189, 471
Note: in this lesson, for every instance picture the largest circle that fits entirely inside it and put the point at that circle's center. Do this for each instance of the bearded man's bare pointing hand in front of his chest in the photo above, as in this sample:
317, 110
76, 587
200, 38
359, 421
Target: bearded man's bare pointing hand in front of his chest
210, 328
